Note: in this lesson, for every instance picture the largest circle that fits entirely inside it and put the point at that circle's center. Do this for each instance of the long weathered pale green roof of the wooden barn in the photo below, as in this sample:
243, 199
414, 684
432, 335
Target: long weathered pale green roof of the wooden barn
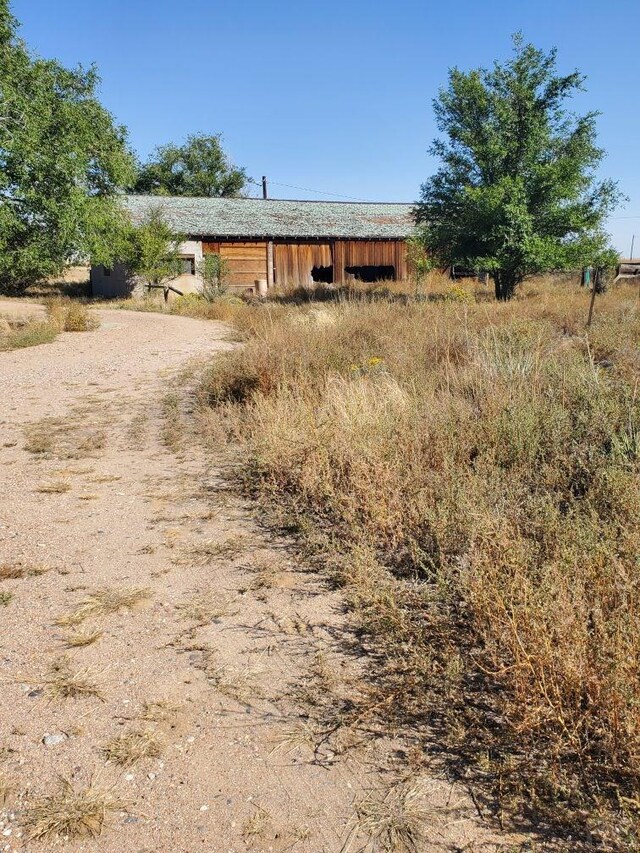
273, 218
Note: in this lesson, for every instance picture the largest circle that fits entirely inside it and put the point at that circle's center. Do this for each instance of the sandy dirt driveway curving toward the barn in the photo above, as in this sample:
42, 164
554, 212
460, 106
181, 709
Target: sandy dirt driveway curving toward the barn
231, 639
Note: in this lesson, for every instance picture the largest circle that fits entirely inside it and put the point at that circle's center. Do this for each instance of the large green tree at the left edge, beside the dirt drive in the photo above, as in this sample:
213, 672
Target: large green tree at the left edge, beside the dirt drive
62, 159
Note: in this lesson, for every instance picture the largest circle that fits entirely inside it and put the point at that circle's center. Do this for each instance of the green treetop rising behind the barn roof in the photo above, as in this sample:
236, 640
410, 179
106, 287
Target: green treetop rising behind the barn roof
198, 168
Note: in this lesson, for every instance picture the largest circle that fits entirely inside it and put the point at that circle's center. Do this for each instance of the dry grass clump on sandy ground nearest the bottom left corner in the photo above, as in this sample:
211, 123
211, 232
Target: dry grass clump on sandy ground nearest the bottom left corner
71, 812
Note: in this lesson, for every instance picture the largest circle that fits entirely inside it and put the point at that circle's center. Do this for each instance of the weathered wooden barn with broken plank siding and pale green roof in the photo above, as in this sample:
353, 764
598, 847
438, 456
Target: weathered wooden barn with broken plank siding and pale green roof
276, 242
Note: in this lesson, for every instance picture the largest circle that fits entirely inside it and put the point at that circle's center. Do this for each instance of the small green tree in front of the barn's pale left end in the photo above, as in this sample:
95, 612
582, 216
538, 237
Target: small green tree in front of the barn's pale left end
153, 253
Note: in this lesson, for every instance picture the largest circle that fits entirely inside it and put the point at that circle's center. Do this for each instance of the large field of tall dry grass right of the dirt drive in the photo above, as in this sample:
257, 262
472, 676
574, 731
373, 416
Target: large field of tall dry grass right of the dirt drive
469, 473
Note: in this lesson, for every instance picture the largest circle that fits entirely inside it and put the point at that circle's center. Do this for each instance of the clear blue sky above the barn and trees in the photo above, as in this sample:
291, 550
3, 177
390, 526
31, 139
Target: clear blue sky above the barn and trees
335, 96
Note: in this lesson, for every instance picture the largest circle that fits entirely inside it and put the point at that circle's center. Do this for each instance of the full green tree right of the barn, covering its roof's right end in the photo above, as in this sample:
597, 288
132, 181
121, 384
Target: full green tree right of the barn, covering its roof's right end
516, 192
